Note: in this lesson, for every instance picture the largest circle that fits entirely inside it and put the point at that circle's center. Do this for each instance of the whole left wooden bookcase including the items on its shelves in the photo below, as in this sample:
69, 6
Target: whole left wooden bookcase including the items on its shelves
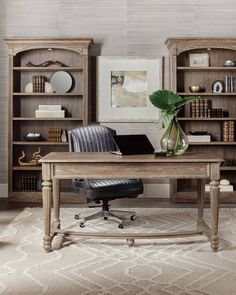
32, 64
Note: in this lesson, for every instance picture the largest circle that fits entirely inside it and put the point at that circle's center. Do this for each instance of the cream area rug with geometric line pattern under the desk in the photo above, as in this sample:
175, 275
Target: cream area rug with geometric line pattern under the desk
83, 266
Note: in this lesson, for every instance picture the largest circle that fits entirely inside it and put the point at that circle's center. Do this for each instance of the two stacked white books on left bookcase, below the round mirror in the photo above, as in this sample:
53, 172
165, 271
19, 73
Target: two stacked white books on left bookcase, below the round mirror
48, 111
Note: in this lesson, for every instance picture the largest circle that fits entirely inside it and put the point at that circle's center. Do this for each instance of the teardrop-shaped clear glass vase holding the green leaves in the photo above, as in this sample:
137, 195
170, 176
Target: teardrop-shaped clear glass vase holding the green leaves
174, 141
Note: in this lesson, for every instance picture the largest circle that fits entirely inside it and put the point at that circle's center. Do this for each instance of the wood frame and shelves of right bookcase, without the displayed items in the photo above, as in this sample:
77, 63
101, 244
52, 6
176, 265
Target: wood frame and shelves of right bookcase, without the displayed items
182, 76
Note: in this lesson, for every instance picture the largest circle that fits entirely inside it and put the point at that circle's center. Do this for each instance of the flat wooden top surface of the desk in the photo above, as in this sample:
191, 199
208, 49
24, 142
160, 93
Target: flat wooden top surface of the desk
73, 157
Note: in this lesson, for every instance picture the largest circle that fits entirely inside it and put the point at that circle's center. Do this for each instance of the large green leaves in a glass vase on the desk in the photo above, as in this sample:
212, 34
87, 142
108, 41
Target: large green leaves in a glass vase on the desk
174, 141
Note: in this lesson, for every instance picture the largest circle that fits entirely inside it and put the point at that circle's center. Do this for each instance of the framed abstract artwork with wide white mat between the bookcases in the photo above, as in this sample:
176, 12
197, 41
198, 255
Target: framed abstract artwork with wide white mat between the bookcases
124, 85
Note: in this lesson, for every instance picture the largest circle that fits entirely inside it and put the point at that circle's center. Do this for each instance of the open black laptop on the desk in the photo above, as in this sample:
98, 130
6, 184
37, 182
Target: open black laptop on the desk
133, 144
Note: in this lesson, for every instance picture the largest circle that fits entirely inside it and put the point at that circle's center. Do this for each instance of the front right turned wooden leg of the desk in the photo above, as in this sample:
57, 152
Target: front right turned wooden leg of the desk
214, 200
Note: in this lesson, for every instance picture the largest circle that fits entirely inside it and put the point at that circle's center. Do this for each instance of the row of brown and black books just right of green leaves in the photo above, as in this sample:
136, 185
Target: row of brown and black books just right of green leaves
201, 108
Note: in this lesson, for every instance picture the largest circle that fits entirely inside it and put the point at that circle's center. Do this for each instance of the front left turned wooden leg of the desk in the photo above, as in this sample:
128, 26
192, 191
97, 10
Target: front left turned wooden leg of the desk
47, 199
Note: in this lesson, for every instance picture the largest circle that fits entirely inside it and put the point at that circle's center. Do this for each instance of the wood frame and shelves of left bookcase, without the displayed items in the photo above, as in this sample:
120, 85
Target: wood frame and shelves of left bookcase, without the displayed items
74, 53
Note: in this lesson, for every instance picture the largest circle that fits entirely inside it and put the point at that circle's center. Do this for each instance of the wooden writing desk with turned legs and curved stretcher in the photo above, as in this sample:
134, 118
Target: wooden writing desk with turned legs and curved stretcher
65, 165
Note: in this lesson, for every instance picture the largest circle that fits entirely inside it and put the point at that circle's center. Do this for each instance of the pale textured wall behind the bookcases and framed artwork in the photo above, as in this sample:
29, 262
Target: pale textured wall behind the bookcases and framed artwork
121, 27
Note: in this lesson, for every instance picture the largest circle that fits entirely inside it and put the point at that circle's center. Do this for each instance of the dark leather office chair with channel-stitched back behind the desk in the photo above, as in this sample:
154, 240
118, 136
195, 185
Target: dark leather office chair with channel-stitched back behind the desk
97, 138
